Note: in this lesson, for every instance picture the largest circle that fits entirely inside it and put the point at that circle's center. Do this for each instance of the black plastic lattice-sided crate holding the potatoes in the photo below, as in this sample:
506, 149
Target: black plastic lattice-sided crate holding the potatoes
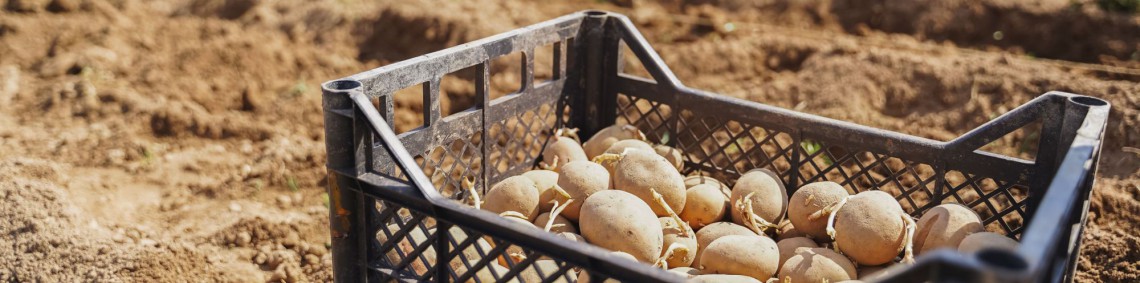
392, 193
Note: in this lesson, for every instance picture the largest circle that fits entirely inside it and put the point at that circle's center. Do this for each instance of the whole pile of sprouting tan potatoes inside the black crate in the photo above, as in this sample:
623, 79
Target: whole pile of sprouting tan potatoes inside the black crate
621, 193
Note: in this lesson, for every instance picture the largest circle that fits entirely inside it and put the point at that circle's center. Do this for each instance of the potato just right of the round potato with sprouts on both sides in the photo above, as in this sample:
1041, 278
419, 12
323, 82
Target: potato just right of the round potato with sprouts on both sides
946, 227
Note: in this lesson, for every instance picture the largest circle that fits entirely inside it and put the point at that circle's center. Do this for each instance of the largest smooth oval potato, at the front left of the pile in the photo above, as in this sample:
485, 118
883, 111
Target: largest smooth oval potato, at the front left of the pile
620, 222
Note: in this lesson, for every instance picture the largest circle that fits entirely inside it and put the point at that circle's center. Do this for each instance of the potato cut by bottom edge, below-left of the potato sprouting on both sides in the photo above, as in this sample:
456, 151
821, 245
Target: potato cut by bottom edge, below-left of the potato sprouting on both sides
818, 265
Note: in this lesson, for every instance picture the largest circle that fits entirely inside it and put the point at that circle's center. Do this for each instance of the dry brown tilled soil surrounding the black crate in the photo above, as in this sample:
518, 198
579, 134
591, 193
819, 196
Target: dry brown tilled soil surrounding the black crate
150, 140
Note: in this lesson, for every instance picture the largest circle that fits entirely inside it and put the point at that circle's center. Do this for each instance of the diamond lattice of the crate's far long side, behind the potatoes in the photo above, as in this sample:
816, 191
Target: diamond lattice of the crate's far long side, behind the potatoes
726, 149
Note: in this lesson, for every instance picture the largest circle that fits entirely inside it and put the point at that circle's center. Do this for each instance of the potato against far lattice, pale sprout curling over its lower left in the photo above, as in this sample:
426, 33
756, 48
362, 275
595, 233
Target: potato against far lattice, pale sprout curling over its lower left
770, 200
